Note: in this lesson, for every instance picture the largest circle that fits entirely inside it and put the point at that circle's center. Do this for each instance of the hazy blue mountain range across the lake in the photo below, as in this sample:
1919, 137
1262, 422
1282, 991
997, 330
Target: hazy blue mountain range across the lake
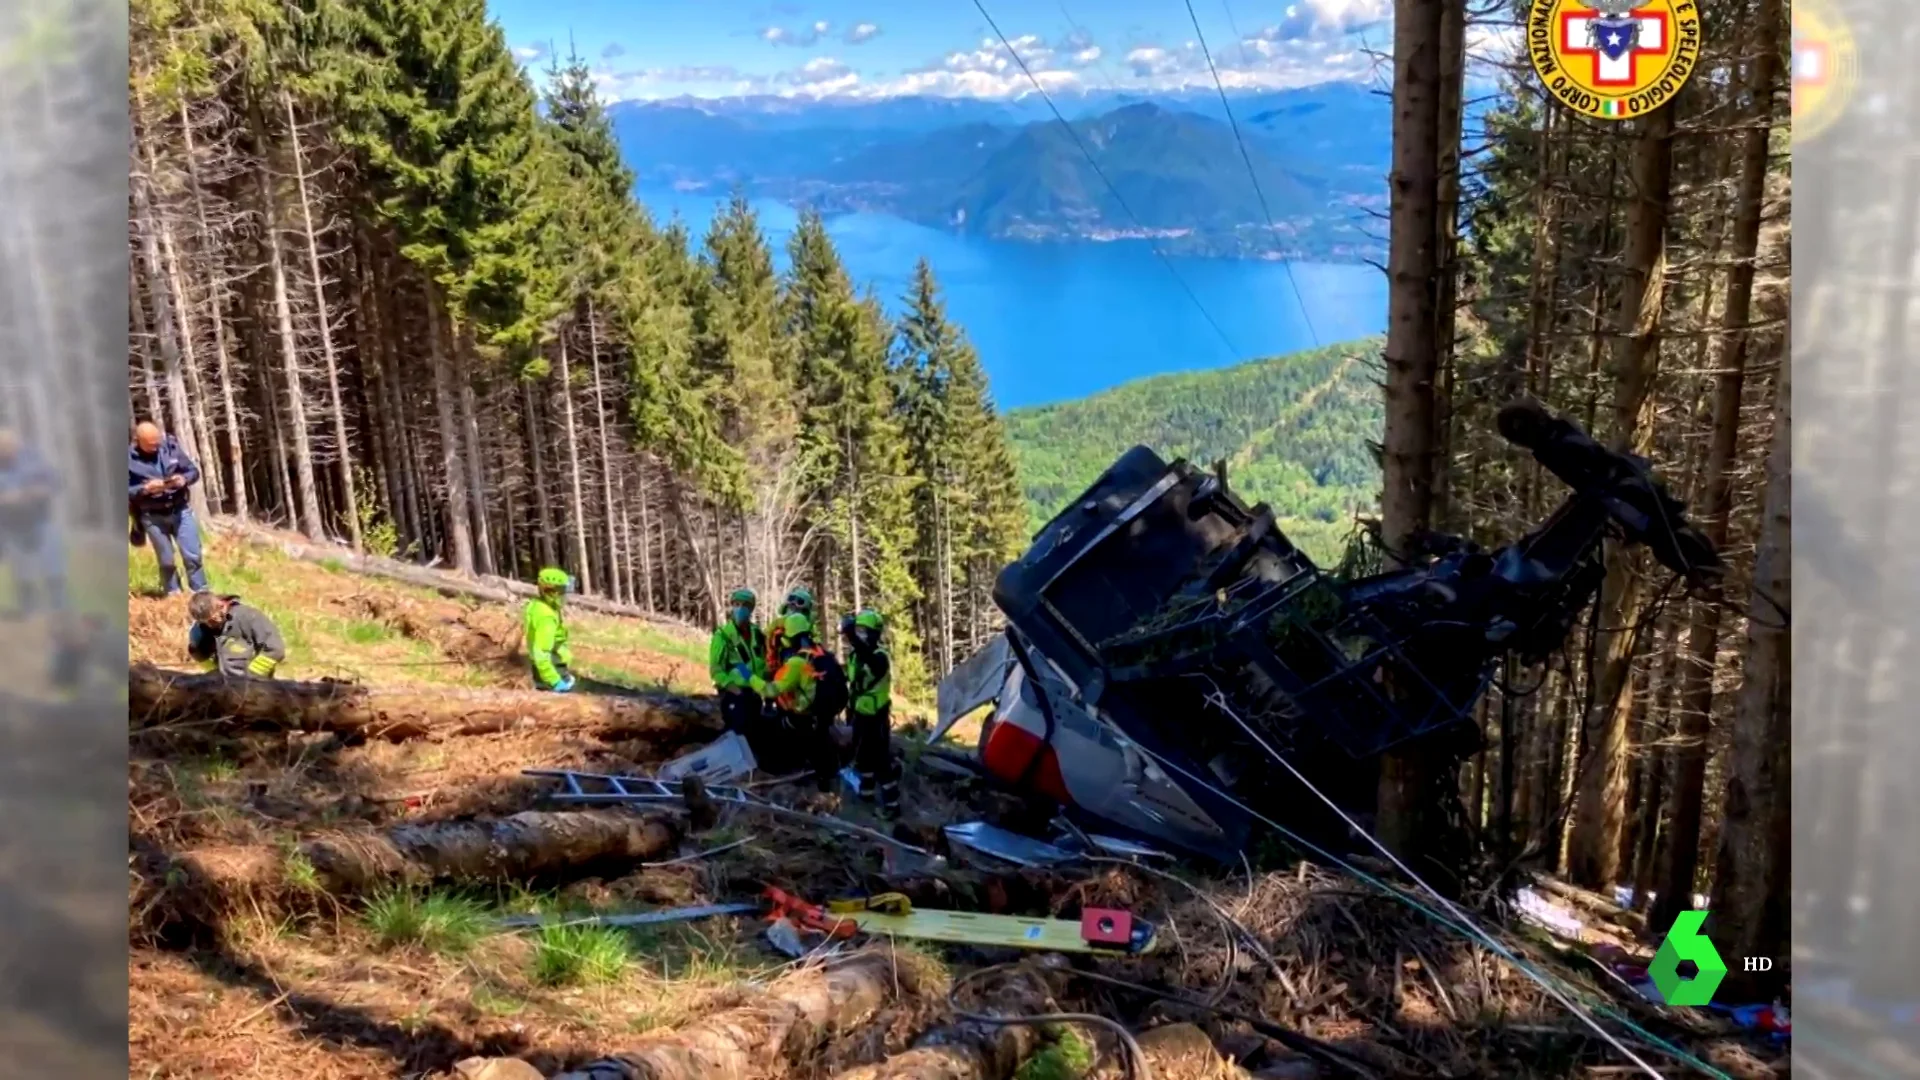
1011, 170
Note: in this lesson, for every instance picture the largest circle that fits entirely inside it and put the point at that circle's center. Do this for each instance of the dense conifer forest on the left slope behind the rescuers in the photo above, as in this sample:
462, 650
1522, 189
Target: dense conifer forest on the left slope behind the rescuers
389, 291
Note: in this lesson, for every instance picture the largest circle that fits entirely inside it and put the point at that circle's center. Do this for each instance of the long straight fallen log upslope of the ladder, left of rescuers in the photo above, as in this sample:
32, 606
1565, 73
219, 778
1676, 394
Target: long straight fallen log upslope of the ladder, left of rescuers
160, 697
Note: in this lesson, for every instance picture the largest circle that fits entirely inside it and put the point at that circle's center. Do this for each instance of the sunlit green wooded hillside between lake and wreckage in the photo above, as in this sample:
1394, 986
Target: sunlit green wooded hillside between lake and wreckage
1295, 433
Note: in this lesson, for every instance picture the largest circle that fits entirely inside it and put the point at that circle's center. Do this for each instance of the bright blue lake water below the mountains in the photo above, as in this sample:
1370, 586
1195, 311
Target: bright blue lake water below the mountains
1055, 322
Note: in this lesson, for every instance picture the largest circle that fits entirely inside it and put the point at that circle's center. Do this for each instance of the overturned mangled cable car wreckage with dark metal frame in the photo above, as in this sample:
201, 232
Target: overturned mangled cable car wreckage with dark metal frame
1166, 643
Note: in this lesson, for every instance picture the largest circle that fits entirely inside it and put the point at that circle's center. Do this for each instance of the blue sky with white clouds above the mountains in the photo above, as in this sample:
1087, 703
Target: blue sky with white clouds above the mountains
663, 49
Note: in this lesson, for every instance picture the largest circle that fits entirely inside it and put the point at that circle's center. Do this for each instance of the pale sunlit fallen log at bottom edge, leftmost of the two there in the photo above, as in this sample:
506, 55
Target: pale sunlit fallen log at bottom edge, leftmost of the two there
790, 1019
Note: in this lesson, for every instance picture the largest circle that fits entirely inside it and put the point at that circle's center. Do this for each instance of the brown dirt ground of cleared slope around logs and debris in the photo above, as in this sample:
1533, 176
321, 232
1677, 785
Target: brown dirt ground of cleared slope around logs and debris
266, 991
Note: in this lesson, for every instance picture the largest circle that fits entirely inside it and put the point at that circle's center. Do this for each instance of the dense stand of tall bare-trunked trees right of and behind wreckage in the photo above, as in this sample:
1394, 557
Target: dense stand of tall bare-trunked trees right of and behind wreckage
1635, 278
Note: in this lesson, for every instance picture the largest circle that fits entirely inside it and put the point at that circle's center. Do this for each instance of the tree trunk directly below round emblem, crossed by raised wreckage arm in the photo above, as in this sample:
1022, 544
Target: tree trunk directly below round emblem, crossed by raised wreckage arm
1600, 810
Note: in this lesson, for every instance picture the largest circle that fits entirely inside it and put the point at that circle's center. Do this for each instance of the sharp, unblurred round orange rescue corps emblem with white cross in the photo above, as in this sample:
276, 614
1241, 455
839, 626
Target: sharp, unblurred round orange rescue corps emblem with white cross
1614, 59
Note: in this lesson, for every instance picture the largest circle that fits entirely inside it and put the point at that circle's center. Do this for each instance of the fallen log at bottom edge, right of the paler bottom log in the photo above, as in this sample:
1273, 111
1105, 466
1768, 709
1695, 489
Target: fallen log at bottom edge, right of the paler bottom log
969, 1050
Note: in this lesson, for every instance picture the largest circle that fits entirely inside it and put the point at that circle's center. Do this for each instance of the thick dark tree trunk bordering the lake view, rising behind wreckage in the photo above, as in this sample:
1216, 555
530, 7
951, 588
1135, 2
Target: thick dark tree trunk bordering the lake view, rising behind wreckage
1410, 433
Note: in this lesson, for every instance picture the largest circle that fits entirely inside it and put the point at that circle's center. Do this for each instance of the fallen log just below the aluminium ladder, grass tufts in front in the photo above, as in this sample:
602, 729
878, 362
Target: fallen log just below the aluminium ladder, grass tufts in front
533, 845
